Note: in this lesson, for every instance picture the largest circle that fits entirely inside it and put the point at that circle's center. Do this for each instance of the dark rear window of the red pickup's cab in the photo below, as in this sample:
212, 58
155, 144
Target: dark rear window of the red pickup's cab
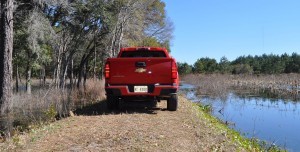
143, 54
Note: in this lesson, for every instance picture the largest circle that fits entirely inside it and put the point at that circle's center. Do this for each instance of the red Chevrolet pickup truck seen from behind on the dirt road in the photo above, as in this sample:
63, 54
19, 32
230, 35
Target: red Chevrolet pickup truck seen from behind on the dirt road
141, 73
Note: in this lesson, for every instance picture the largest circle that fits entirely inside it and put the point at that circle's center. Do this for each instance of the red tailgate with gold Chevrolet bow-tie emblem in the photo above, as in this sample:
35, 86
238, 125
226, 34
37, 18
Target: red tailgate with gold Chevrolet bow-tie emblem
140, 71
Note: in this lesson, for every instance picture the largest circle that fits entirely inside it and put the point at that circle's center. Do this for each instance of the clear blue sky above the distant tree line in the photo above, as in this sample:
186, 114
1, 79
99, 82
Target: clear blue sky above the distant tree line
232, 28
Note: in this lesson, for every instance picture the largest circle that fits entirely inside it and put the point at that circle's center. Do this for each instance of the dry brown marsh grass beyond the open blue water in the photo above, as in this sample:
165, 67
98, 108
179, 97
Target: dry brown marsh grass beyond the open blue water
282, 85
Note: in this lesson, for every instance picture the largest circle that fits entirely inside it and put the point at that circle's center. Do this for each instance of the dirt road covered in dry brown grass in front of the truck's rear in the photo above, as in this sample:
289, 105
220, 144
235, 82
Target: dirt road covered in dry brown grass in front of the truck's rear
135, 128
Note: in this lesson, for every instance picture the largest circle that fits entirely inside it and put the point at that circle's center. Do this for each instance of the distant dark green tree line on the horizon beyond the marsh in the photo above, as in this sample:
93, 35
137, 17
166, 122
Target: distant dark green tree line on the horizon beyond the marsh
264, 64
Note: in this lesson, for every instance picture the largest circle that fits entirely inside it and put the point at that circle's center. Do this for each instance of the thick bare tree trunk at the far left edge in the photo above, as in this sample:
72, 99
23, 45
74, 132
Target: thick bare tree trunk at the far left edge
6, 48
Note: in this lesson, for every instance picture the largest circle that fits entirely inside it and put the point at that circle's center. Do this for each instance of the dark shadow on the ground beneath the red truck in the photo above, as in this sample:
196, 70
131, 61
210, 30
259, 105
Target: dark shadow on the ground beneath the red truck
100, 108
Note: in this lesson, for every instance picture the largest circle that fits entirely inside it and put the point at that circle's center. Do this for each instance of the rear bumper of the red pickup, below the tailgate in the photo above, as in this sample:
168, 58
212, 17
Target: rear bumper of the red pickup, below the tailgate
155, 90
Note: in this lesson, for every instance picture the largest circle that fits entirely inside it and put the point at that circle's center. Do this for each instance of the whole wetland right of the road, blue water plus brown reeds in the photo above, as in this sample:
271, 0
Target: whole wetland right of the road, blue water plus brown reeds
264, 107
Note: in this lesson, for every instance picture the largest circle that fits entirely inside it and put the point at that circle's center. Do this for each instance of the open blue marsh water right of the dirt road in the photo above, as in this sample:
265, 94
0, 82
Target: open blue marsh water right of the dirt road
276, 121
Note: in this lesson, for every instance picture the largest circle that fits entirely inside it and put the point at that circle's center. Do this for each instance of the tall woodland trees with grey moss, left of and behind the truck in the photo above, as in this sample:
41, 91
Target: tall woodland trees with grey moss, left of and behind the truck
71, 39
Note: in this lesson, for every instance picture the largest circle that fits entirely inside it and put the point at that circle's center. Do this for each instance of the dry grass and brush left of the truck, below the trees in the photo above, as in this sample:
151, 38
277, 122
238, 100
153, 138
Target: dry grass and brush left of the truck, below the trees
45, 105
